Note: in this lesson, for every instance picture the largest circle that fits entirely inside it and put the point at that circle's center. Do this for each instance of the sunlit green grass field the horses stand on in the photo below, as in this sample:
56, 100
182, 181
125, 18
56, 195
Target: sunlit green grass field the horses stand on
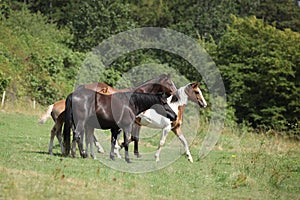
247, 166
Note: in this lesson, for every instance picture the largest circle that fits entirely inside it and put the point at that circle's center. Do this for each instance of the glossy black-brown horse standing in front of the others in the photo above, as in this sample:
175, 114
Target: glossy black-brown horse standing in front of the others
115, 111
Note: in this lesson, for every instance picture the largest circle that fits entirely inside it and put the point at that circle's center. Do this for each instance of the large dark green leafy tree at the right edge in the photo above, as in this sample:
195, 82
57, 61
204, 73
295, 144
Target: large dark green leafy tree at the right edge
260, 67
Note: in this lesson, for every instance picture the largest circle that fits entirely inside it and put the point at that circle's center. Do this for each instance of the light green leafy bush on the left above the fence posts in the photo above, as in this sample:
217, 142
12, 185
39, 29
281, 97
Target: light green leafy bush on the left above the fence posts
35, 55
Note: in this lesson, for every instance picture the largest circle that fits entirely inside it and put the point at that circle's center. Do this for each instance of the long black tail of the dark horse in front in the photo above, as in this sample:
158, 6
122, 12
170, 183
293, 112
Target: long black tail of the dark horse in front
68, 124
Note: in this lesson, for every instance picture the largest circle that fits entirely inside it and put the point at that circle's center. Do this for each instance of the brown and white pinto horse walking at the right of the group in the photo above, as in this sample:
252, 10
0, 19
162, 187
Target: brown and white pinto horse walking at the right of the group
178, 101
